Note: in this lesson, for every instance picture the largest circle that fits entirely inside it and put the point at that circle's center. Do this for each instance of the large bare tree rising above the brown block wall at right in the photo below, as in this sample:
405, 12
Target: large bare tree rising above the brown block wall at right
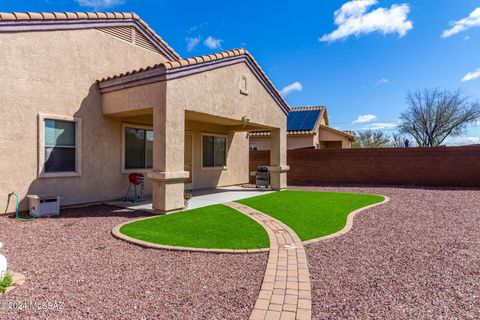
435, 114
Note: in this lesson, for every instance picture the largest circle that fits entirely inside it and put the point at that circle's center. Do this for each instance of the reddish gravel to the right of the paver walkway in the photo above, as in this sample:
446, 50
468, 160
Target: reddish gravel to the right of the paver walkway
415, 257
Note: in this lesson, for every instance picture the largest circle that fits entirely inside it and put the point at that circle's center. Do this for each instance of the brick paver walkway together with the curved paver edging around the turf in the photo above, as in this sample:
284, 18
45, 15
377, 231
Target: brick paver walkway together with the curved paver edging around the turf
286, 289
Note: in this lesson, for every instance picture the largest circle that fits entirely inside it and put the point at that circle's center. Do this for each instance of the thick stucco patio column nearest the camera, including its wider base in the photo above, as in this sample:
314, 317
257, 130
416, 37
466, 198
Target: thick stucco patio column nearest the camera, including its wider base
168, 174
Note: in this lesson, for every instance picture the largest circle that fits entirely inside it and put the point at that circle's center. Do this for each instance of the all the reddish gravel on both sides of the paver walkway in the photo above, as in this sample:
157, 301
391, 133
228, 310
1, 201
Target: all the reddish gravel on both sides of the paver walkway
416, 257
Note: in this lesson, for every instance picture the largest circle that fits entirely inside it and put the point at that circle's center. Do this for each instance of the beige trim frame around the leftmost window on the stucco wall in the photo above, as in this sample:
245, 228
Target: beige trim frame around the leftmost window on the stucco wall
41, 146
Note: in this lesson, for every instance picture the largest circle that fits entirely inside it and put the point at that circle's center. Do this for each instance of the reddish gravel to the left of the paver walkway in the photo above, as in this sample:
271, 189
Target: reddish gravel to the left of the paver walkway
74, 260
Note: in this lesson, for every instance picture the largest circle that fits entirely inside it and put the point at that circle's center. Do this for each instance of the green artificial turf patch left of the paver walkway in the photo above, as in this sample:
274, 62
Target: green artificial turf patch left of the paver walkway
216, 226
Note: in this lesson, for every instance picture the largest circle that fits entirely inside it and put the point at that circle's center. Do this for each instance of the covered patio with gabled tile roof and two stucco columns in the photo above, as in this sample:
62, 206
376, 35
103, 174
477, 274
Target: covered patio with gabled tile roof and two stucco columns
200, 111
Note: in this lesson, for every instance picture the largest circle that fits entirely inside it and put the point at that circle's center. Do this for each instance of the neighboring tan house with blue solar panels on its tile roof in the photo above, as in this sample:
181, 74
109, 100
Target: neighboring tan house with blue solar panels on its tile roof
307, 127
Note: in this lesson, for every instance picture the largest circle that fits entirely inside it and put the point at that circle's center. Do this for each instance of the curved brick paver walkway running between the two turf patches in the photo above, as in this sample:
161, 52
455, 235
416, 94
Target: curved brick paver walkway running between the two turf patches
286, 291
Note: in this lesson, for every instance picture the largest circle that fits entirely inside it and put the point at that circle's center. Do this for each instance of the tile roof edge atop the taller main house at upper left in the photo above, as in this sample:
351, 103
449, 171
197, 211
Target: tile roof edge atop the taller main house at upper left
22, 16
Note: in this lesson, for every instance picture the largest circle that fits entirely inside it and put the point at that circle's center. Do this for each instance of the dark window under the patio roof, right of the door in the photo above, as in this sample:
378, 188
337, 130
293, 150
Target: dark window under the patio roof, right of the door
214, 148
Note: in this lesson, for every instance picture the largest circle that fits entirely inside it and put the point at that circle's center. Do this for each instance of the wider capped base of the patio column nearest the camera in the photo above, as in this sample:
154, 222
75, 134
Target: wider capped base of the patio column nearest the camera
168, 189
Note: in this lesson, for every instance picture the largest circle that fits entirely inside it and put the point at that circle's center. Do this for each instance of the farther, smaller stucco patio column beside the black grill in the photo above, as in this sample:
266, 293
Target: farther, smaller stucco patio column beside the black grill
278, 159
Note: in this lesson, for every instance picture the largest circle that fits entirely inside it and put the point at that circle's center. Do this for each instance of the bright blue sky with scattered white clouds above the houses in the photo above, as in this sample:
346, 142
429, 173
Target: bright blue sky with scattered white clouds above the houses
359, 57
